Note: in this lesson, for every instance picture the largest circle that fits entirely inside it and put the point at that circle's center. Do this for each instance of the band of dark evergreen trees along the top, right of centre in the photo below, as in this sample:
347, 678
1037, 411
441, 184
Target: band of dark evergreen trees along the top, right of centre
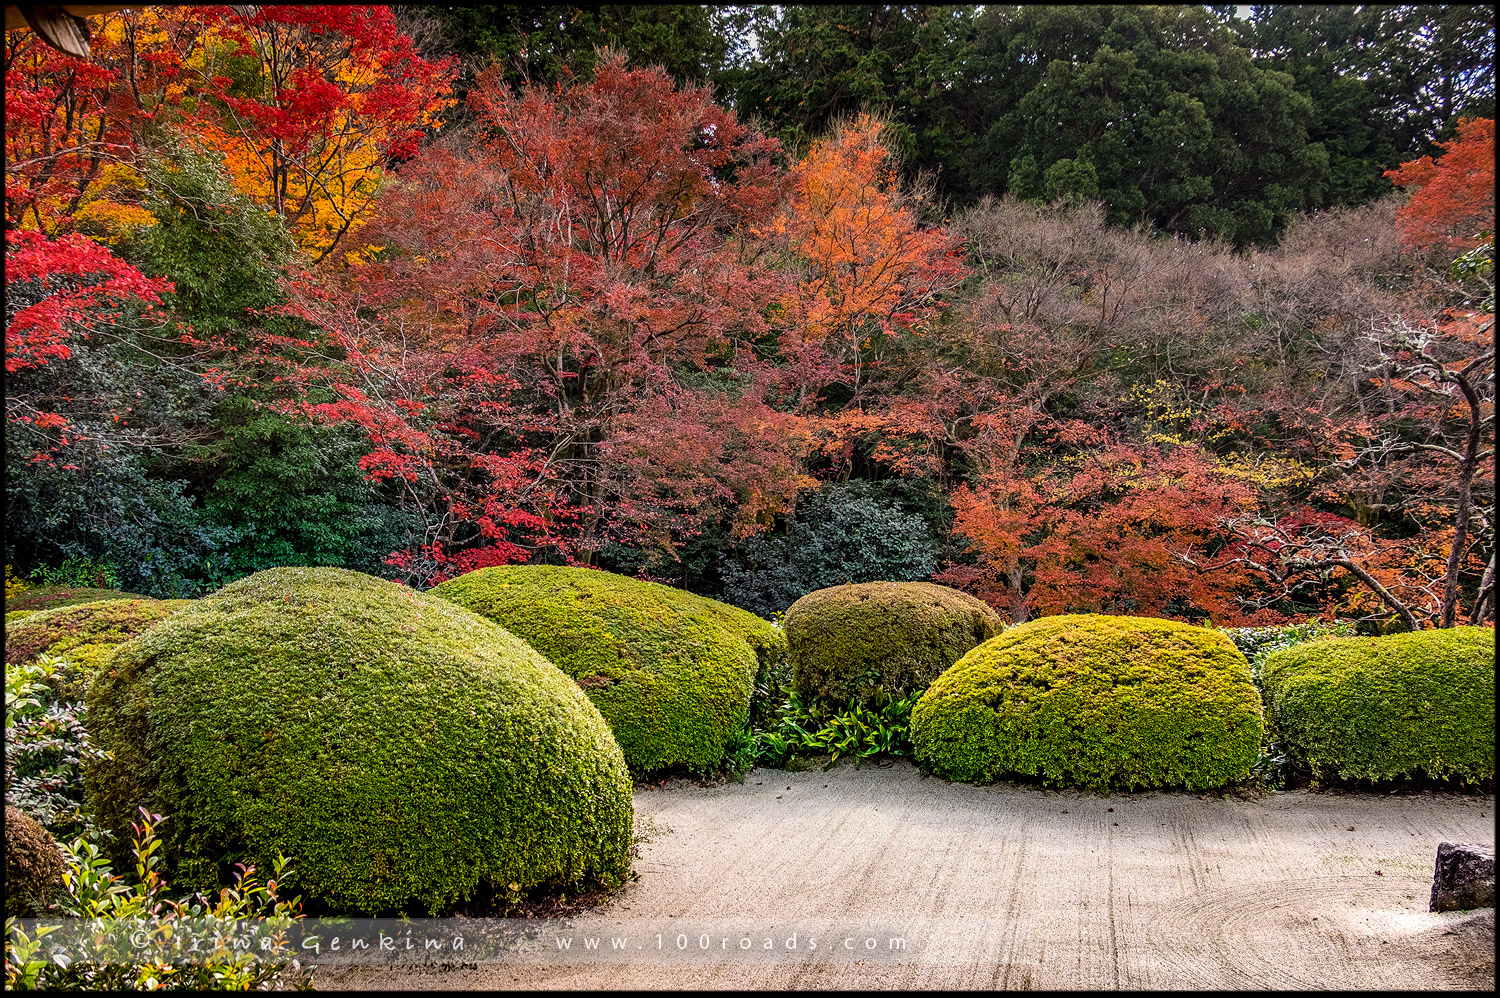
1177, 116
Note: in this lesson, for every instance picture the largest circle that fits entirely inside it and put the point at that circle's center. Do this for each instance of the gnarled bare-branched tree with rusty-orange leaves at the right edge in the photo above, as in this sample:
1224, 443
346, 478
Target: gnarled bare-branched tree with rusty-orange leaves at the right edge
1432, 460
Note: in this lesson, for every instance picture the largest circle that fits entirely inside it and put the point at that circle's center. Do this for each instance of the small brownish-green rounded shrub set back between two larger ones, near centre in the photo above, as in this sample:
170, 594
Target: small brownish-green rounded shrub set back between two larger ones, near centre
847, 643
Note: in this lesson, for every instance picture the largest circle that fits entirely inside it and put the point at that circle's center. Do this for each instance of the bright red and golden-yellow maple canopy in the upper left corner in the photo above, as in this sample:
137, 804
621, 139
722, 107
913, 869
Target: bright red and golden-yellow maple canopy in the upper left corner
305, 103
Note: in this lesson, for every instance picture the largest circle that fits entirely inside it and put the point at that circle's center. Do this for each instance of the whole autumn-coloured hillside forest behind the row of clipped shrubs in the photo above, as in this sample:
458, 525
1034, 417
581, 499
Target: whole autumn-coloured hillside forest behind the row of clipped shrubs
1160, 311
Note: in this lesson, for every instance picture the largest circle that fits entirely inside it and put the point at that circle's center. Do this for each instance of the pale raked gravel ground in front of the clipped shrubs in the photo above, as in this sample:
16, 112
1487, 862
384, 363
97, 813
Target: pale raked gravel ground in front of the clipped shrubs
1022, 888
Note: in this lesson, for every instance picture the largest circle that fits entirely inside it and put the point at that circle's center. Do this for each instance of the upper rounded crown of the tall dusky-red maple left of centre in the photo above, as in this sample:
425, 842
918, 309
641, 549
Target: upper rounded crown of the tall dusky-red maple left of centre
586, 232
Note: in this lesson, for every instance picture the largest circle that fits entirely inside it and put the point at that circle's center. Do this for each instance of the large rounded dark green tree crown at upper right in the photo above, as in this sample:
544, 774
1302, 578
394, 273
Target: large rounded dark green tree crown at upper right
1159, 112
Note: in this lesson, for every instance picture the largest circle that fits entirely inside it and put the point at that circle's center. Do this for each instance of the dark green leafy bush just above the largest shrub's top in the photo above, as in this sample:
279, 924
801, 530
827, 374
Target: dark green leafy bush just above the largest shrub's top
296, 497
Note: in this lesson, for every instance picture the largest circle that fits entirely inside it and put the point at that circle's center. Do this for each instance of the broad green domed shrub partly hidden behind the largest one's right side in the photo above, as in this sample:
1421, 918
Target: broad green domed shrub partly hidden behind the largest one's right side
668, 670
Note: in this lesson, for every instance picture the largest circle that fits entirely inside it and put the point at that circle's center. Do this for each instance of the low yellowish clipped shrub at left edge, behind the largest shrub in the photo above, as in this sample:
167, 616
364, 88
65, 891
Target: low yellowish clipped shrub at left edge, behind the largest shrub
83, 634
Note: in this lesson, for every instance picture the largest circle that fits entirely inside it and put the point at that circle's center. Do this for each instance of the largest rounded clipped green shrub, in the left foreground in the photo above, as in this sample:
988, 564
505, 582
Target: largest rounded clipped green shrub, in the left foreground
400, 748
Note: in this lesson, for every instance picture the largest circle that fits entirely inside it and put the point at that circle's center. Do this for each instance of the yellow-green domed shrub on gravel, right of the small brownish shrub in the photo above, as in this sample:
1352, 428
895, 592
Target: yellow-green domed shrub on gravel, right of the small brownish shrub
1094, 702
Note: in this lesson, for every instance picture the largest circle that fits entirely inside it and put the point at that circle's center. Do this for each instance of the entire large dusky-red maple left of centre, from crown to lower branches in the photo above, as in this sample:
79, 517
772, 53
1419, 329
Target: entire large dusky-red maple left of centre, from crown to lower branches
518, 338
